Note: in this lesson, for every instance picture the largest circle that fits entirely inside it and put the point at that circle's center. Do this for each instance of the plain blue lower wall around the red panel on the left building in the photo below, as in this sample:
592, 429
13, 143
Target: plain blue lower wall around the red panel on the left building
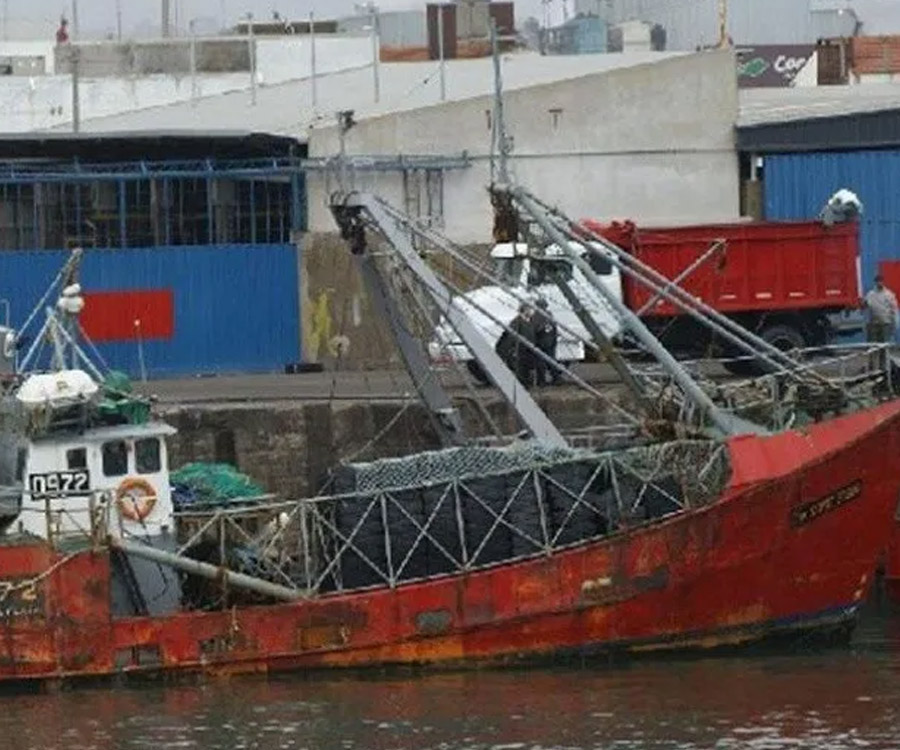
236, 307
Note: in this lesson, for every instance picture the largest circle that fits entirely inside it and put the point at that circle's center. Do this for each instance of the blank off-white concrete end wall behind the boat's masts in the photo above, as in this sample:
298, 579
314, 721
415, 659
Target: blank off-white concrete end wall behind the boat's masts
653, 142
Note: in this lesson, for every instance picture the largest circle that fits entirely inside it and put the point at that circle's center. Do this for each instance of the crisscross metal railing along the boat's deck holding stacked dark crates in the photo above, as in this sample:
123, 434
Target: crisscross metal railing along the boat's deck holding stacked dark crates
409, 529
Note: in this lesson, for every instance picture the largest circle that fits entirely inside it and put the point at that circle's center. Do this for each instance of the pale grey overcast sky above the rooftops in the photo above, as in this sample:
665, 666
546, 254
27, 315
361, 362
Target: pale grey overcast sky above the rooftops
39, 17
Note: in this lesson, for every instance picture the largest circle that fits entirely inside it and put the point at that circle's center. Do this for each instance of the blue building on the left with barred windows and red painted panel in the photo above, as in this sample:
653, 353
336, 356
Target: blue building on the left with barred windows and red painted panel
191, 264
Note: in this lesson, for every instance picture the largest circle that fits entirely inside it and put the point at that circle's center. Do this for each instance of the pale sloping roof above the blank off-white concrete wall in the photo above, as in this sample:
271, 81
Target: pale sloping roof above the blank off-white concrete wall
286, 109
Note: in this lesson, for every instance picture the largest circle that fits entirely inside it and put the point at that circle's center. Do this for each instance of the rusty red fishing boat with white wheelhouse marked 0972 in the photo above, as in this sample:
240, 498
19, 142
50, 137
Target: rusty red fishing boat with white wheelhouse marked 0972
711, 516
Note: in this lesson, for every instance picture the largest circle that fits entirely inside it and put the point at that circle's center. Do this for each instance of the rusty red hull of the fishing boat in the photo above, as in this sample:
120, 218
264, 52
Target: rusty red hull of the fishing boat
792, 543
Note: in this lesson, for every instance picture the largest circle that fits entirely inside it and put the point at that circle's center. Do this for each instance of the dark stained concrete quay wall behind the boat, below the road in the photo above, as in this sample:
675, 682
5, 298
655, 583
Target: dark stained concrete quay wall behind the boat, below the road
289, 447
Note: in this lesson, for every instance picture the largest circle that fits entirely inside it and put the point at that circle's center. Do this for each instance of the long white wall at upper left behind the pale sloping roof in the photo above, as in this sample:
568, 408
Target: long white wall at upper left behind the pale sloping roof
45, 102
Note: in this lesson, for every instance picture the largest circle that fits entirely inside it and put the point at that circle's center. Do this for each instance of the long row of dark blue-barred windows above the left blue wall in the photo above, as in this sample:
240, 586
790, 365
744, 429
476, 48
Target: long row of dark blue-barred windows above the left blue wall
157, 207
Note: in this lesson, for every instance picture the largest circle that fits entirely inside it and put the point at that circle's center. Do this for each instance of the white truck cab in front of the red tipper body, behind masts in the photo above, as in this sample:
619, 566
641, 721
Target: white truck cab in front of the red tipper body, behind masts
526, 274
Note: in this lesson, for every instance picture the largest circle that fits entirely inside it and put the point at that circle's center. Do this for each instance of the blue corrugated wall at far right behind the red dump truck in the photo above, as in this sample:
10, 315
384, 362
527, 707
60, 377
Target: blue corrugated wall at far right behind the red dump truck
798, 185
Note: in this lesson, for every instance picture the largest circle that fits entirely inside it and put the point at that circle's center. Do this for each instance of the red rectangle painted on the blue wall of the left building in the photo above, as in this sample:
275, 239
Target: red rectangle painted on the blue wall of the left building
112, 316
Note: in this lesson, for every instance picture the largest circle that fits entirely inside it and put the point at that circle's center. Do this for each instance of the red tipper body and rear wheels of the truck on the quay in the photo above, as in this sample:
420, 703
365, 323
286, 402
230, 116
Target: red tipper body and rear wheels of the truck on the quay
796, 284
